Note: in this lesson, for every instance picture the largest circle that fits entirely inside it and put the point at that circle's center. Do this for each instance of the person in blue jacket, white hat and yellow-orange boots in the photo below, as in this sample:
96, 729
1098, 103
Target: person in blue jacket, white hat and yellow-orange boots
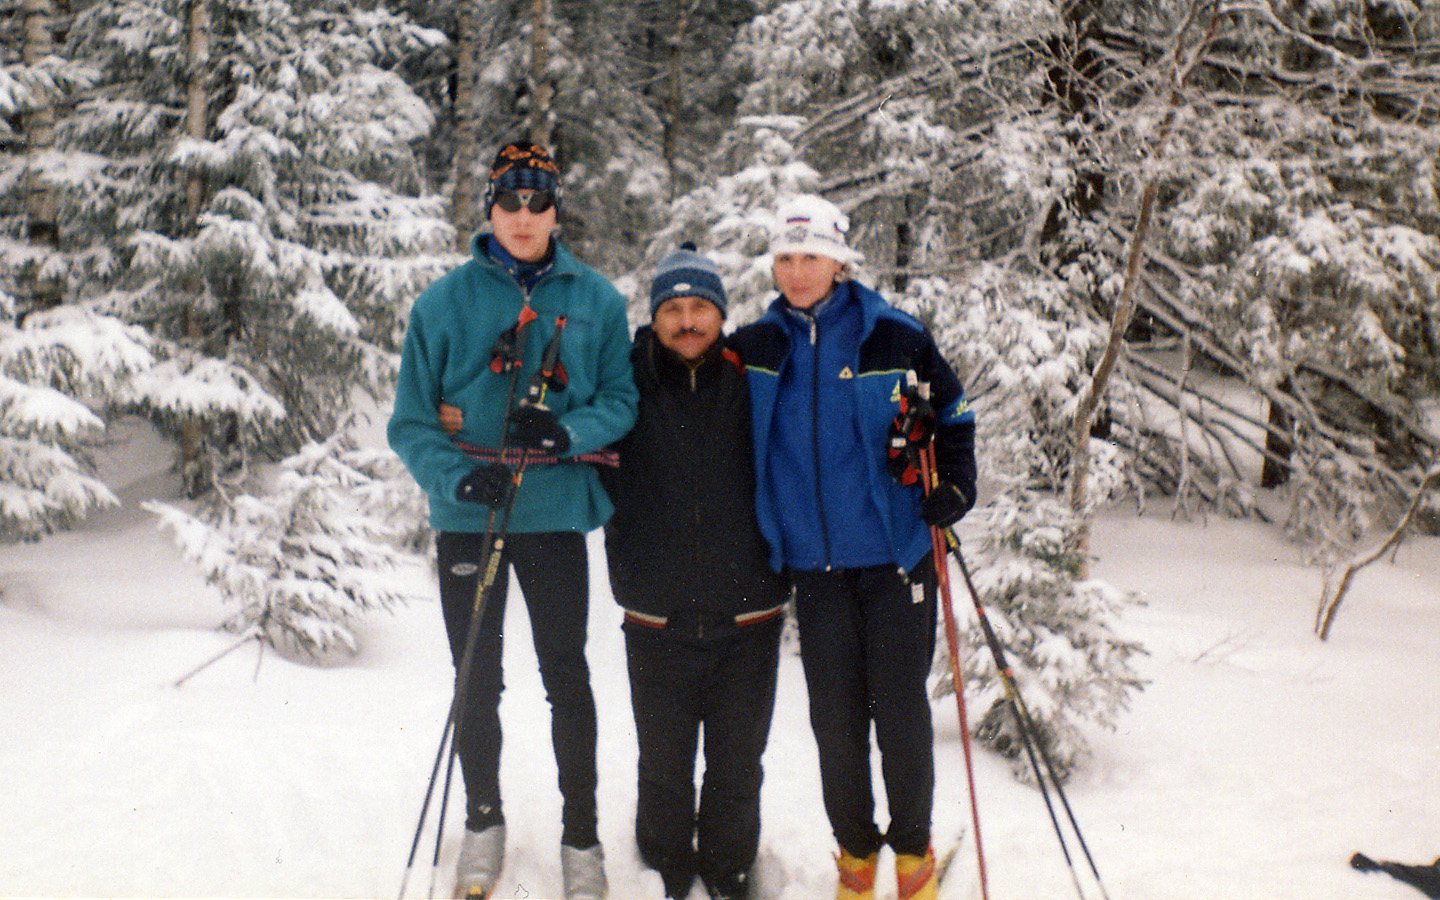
827, 365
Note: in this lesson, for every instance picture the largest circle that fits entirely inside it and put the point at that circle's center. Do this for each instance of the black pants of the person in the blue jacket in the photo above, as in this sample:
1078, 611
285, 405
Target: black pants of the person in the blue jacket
868, 642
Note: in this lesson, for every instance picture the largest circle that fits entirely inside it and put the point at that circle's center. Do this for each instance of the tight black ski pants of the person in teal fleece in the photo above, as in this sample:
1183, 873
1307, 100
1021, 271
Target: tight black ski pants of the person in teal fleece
554, 577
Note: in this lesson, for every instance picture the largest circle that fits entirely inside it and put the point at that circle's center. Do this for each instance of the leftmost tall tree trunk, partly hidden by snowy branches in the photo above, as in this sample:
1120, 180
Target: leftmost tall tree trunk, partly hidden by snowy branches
42, 224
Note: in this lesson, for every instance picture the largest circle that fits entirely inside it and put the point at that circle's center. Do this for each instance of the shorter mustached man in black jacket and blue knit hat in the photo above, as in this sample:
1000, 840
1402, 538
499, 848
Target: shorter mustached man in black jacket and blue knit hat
703, 610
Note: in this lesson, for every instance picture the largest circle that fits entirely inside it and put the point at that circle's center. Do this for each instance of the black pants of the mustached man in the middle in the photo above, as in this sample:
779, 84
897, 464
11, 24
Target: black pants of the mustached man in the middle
680, 686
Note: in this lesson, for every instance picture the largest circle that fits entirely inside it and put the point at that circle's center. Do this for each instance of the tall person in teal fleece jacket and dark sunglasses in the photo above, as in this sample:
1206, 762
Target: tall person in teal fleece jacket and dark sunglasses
449, 358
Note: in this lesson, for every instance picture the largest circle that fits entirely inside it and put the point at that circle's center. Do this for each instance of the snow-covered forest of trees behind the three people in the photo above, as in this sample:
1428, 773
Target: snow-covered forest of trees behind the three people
215, 215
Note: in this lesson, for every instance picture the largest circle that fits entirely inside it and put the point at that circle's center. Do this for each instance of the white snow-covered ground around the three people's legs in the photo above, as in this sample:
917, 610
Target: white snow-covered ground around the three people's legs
1252, 768
